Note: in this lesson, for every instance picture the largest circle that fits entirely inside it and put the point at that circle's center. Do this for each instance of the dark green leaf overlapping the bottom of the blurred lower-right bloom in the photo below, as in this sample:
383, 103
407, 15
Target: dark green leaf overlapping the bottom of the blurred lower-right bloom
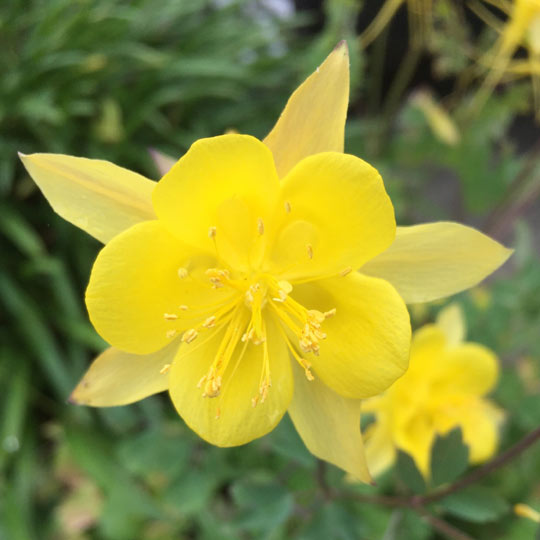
449, 457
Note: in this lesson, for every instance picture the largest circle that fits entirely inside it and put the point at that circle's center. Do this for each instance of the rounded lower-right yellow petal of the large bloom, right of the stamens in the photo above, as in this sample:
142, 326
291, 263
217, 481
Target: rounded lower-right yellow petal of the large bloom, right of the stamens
368, 339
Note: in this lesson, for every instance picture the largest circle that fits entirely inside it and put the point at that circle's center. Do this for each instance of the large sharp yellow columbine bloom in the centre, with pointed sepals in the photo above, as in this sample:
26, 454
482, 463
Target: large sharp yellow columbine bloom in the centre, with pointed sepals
233, 283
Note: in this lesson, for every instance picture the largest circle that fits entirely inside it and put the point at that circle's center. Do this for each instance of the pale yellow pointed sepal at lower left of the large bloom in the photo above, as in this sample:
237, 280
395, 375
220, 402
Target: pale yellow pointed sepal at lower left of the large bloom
118, 378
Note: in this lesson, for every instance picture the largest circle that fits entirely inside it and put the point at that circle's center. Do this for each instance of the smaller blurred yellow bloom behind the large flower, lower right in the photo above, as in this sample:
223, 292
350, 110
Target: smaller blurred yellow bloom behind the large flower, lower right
442, 389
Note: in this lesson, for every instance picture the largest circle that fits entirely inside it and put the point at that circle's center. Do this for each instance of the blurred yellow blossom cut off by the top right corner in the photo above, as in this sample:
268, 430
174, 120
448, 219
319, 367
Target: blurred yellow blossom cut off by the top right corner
522, 29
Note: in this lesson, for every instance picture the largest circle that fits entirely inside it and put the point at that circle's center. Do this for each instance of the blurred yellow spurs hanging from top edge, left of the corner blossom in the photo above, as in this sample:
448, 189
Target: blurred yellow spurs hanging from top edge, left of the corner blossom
420, 20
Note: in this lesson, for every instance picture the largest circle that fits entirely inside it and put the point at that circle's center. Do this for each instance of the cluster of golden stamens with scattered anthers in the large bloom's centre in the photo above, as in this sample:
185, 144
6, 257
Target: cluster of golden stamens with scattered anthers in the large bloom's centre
241, 318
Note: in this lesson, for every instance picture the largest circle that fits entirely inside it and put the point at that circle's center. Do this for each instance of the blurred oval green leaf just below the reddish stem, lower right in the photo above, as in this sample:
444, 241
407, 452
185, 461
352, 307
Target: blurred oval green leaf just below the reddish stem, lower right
476, 503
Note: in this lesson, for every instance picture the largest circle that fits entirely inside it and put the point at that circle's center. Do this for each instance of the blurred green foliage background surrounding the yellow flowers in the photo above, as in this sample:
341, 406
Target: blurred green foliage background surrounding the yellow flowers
111, 79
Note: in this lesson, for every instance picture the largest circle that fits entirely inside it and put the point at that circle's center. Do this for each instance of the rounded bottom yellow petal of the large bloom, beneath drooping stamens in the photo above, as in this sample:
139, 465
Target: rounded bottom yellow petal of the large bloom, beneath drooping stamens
230, 419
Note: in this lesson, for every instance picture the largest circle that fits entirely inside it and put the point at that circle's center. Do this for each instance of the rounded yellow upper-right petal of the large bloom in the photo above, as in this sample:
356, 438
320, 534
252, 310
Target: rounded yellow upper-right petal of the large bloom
335, 215
